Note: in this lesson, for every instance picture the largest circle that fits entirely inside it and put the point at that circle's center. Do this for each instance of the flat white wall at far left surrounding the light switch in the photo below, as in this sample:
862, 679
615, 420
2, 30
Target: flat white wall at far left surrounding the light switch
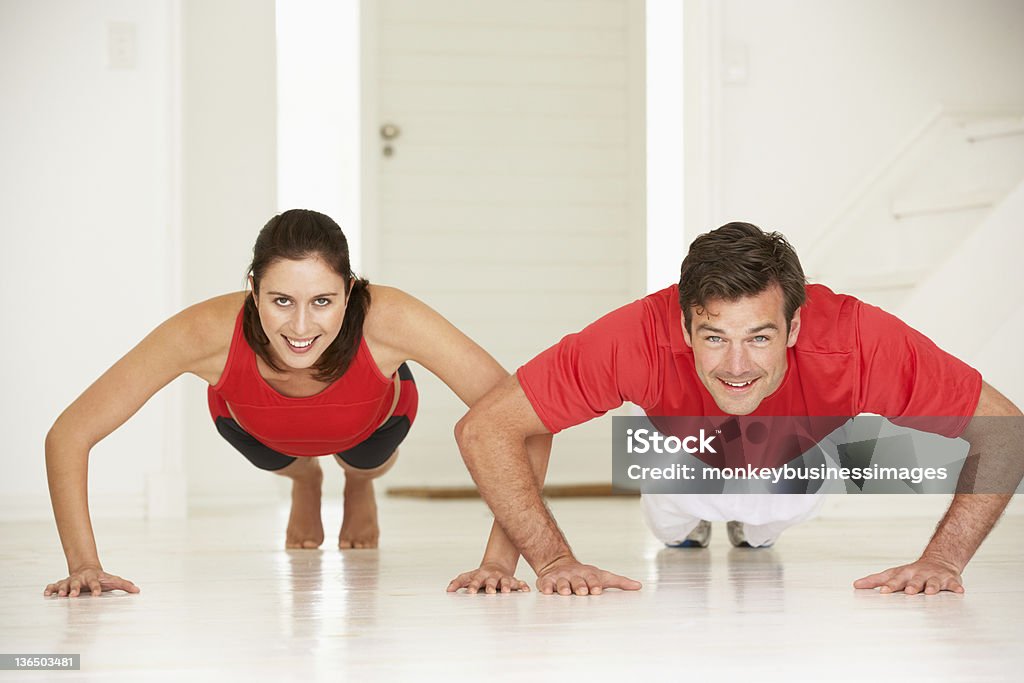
88, 187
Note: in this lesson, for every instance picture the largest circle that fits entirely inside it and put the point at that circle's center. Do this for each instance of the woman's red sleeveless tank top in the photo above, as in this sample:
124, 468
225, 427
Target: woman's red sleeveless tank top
339, 417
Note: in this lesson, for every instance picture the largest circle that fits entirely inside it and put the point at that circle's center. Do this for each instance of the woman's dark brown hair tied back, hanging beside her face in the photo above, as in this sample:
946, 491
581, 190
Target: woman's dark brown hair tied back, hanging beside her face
297, 235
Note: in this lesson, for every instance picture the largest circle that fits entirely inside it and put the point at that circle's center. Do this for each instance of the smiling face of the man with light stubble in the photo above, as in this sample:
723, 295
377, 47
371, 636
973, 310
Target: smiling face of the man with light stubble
740, 349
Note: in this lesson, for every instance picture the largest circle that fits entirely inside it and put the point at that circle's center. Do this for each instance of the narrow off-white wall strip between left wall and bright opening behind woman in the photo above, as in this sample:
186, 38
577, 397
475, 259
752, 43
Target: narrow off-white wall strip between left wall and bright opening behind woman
230, 172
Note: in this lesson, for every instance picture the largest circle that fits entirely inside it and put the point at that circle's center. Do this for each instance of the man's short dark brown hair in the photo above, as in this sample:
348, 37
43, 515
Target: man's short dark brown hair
739, 261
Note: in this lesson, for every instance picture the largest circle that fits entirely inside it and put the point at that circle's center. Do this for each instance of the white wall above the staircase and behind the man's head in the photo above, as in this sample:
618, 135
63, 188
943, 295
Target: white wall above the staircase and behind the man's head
792, 104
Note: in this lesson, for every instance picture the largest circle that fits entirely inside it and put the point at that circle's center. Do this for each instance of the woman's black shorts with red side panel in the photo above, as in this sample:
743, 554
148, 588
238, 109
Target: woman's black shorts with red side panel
367, 455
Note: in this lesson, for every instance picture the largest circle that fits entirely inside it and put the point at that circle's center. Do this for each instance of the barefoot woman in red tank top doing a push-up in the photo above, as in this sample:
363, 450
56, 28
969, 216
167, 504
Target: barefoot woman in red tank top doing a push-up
311, 362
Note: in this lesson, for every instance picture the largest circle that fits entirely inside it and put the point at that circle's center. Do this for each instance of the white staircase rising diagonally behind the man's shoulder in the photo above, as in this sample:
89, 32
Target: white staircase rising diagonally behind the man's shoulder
913, 215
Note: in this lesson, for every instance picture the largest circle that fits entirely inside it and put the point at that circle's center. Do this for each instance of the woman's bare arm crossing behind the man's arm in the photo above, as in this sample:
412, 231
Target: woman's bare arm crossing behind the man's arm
402, 328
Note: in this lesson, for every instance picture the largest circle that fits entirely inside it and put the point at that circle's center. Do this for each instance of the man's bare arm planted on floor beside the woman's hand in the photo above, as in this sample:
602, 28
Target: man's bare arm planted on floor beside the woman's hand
493, 441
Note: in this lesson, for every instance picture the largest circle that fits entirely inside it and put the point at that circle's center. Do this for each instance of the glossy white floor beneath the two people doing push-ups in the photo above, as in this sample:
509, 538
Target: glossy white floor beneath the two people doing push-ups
222, 602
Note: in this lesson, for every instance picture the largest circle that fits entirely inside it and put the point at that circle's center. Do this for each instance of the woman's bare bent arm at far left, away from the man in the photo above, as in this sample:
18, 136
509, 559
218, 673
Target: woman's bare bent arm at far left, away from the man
192, 341
